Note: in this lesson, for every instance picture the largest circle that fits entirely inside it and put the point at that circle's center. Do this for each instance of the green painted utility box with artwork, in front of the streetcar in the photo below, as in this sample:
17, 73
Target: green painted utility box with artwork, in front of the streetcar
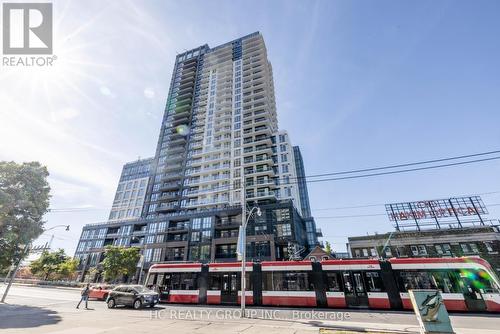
430, 311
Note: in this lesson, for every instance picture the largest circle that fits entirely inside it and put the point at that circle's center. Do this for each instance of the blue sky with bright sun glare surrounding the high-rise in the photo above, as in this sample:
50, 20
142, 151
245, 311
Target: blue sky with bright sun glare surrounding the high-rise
358, 84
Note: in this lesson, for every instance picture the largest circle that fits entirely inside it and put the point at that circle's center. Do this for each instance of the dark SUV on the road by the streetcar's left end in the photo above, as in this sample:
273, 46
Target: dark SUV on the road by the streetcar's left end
136, 296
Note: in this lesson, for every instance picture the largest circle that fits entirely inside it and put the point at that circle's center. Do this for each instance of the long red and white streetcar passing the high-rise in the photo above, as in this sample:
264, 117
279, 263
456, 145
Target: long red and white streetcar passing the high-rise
467, 283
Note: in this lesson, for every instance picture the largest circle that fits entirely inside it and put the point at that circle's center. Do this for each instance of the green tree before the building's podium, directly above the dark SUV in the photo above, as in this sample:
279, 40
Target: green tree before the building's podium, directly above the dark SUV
120, 261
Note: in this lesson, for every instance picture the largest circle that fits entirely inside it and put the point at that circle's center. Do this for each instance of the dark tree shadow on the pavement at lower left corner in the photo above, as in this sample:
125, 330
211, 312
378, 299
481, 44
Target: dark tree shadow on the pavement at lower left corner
23, 316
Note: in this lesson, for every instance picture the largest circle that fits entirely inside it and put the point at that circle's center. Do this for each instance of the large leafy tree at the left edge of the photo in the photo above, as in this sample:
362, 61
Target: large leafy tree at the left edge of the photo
24, 199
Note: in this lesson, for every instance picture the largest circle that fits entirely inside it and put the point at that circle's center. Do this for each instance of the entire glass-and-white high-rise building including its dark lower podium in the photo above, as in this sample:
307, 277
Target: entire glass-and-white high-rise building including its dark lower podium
219, 143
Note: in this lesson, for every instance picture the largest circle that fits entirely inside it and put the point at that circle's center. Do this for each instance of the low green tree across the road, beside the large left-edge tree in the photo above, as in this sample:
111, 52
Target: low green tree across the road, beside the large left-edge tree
54, 265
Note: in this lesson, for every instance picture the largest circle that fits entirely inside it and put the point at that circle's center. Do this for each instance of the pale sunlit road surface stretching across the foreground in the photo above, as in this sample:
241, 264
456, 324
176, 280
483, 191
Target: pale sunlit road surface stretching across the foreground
49, 310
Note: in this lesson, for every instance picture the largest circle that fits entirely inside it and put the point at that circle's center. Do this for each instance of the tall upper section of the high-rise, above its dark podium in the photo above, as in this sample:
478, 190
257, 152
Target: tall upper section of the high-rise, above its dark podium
217, 131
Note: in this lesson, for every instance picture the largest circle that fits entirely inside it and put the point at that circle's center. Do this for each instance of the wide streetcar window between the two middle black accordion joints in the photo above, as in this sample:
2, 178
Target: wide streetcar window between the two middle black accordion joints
286, 281
